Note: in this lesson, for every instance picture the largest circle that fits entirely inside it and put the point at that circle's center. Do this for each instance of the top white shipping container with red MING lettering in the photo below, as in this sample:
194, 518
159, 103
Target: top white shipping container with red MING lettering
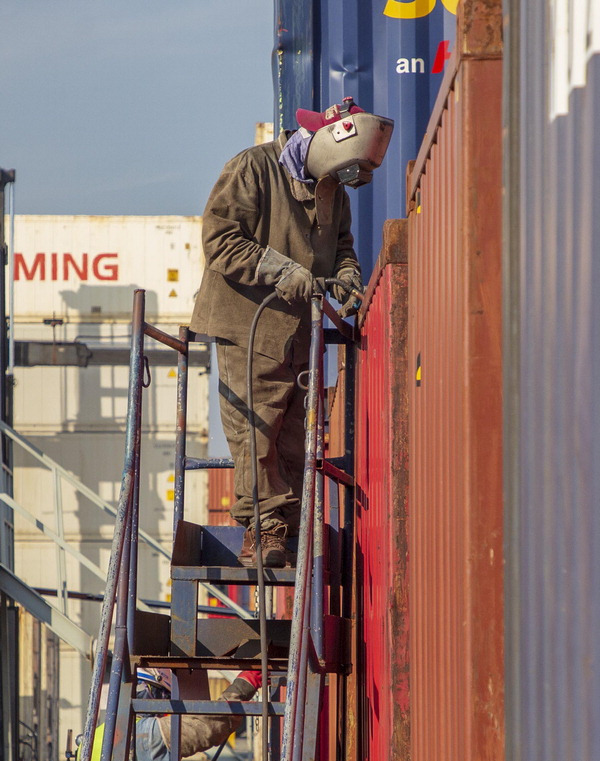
83, 268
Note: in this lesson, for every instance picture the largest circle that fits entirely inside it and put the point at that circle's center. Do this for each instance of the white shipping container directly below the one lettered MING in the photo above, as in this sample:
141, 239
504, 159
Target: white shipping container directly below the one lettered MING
94, 398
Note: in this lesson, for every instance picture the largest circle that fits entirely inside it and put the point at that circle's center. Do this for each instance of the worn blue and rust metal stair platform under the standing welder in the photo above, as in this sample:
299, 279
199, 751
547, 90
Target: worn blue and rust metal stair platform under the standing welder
300, 652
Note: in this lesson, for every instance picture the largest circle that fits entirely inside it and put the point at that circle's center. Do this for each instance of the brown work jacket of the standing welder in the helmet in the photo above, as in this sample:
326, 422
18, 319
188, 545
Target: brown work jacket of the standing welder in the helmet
256, 203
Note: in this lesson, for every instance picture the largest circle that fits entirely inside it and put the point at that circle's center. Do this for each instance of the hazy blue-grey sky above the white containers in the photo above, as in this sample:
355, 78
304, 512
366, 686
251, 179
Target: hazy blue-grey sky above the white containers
130, 106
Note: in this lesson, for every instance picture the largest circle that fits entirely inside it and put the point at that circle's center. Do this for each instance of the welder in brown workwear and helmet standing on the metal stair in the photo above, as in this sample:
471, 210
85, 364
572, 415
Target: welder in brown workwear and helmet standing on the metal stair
279, 217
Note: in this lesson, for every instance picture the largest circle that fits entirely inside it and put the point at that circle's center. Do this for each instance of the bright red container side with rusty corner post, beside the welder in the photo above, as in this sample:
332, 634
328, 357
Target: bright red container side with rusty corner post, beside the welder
382, 507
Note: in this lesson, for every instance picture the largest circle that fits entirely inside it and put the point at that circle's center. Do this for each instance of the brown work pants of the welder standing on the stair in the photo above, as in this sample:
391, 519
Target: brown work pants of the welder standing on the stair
279, 416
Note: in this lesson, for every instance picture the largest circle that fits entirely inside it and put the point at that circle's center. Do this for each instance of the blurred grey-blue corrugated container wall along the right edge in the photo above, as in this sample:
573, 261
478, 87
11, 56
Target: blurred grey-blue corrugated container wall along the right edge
552, 310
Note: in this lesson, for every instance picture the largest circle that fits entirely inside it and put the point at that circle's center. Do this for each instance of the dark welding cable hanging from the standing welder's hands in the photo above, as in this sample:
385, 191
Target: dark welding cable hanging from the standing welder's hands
262, 613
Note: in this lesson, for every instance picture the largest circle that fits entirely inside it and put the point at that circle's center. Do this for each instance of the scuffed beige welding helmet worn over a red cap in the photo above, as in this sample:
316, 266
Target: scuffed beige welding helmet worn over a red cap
348, 143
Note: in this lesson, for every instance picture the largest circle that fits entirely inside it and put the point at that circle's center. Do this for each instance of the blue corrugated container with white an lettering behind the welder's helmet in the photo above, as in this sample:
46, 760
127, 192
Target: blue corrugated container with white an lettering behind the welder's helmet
390, 56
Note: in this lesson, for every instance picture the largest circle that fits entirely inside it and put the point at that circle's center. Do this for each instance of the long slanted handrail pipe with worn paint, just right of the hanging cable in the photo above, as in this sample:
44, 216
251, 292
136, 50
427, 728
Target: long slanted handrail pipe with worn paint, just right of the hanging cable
303, 563
